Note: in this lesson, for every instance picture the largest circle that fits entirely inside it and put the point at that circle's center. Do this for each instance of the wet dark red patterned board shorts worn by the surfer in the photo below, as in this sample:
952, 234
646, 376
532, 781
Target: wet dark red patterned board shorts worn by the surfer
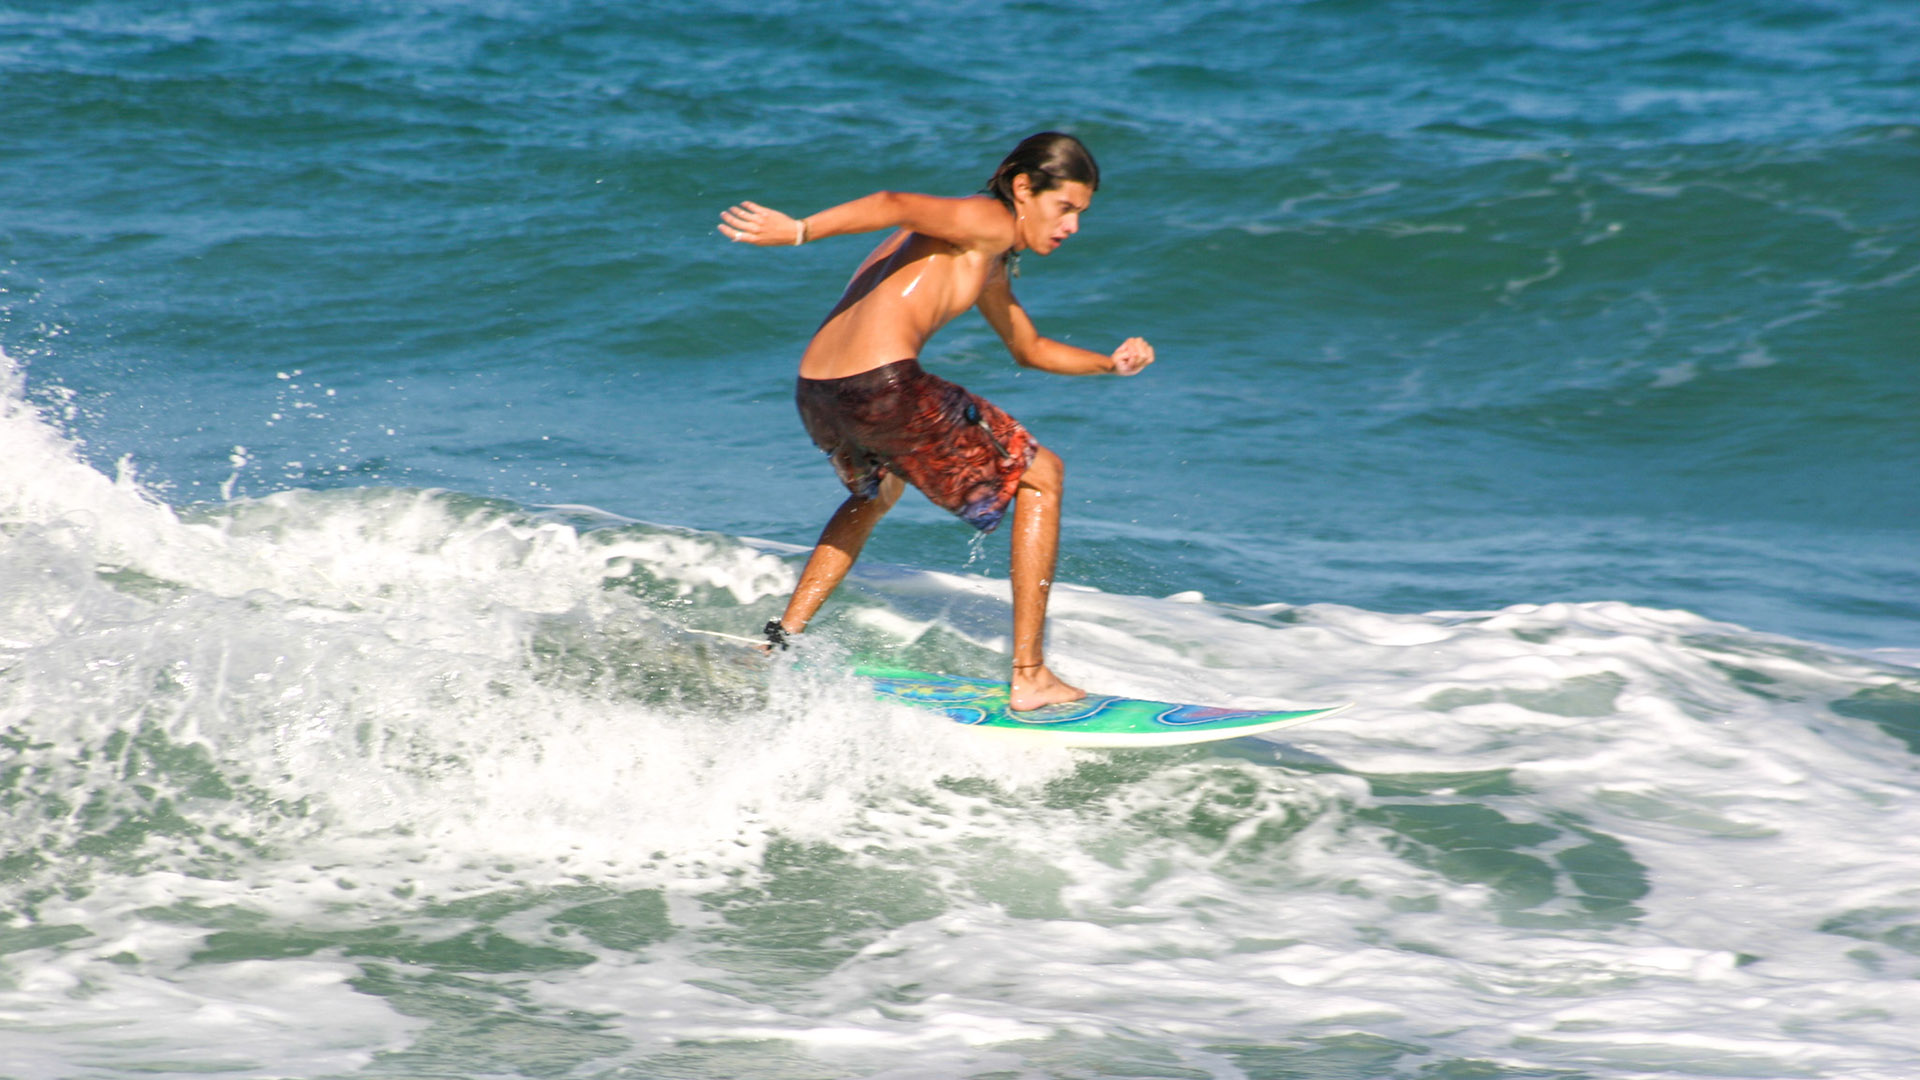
961, 451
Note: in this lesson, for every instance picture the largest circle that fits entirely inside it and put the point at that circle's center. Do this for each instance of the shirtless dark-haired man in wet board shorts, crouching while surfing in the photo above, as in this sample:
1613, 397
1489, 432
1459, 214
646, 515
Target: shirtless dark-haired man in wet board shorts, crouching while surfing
884, 422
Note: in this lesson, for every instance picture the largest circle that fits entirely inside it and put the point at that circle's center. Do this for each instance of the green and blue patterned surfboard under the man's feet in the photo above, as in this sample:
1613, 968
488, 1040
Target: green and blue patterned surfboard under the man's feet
1095, 722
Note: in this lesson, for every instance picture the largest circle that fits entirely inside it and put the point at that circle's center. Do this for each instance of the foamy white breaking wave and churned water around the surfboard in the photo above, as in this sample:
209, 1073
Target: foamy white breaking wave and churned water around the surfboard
408, 783
